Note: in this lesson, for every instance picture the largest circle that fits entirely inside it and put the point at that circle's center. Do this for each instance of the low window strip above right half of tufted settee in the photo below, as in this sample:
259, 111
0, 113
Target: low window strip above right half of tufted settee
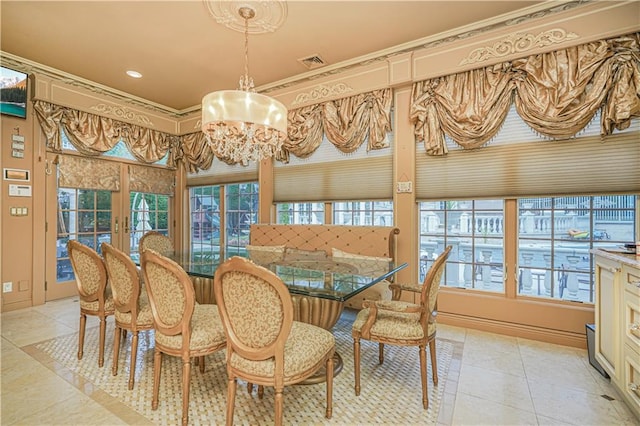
364, 213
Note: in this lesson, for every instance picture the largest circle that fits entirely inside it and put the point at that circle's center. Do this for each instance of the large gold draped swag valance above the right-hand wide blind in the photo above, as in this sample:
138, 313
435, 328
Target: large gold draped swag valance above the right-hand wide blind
557, 94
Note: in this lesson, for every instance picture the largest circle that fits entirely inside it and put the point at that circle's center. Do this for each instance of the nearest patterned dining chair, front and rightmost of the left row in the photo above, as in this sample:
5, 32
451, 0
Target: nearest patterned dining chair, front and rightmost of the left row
265, 346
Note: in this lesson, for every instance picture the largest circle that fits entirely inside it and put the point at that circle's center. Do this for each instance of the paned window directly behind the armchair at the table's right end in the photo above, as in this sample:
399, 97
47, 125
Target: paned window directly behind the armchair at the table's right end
475, 229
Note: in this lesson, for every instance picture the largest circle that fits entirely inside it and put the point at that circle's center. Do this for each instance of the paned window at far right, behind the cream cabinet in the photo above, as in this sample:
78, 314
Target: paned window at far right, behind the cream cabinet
555, 235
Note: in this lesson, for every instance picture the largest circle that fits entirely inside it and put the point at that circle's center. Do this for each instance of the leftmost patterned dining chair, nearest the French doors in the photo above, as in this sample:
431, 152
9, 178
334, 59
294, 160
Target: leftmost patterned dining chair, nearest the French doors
95, 295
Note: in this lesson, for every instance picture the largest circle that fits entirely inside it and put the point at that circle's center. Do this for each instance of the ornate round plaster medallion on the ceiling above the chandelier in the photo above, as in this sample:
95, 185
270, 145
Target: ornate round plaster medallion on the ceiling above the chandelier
269, 14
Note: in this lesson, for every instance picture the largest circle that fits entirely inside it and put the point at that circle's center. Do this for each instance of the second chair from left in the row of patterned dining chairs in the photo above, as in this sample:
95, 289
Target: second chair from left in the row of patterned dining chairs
132, 308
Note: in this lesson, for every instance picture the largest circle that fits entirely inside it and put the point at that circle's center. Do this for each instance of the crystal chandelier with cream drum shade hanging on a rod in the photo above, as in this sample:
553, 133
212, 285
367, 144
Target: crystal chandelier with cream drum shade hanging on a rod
242, 125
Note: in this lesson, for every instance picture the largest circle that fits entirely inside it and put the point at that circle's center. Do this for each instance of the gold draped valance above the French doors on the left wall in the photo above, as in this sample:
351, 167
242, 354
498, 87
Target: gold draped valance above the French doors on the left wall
93, 135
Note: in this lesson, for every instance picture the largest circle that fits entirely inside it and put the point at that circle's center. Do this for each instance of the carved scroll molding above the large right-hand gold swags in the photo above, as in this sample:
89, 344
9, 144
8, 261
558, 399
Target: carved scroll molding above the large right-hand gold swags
518, 43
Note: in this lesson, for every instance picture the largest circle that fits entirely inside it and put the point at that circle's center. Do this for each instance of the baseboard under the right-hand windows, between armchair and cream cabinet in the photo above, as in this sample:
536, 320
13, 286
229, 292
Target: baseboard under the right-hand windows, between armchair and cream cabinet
558, 337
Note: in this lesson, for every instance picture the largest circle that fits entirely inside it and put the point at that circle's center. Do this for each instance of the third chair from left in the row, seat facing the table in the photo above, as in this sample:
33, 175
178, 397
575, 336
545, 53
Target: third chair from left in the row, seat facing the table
183, 328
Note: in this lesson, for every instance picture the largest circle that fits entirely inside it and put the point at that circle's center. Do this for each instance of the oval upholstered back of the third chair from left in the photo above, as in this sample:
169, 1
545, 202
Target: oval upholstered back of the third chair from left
170, 293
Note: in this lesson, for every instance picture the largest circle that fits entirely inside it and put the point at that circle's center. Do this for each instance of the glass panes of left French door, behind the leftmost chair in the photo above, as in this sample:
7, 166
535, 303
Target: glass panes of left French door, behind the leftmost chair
83, 215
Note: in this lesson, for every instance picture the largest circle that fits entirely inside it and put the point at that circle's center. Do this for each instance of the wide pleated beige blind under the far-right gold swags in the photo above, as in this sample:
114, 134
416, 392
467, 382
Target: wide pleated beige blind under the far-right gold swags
520, 163
